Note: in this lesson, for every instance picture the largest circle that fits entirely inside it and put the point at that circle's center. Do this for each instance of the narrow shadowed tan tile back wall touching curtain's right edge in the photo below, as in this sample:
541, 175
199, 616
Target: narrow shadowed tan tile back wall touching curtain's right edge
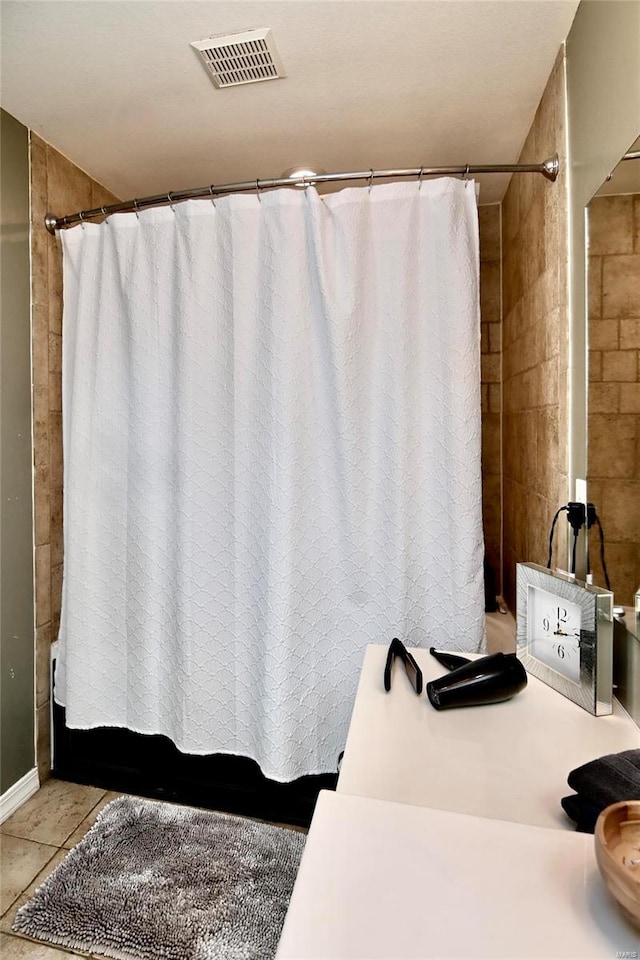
491, 347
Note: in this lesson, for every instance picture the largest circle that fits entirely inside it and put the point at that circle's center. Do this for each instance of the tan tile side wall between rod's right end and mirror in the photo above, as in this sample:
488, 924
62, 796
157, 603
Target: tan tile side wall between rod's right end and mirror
535, 345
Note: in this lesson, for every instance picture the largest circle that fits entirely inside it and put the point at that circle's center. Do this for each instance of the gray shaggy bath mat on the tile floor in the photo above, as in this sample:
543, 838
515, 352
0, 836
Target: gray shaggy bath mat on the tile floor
154, 881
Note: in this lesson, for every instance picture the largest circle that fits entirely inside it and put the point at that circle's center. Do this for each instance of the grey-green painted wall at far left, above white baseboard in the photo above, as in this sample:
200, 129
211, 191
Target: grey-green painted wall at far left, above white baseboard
17, 754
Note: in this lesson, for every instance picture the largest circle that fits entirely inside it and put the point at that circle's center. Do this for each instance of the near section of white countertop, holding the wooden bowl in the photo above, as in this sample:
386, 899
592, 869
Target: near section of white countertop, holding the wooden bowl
385, 881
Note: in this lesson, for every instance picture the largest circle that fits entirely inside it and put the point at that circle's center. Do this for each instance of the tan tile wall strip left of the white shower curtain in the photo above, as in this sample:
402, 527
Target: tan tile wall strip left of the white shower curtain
60, 187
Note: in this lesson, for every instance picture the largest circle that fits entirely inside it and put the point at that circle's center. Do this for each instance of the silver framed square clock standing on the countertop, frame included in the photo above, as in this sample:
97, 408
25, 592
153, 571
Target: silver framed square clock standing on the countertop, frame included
564, 635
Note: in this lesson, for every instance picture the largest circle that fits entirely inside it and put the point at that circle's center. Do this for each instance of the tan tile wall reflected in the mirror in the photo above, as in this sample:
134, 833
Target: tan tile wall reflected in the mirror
614, 389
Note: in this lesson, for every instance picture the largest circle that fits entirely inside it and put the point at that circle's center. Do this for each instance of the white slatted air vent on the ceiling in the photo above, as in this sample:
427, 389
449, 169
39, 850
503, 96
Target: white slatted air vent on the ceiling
236, 58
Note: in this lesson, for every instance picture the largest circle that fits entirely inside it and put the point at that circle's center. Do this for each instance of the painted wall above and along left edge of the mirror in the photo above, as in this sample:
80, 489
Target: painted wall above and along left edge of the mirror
603, 89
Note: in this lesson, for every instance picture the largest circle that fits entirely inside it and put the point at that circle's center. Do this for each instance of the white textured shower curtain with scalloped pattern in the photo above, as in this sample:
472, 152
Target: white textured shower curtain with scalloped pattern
272, 458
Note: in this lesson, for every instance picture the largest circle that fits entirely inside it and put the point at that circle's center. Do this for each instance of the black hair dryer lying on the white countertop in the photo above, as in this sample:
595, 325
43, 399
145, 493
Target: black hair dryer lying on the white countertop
473, 682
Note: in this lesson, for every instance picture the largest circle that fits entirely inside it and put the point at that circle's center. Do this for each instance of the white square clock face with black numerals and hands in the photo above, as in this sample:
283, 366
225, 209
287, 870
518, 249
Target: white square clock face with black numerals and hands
553, 628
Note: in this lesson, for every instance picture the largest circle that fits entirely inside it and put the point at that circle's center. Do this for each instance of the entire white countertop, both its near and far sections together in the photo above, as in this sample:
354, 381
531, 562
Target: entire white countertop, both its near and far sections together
446, 838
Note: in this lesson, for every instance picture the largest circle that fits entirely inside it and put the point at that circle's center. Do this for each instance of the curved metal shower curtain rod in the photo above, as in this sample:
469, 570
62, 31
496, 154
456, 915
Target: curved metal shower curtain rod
549, 169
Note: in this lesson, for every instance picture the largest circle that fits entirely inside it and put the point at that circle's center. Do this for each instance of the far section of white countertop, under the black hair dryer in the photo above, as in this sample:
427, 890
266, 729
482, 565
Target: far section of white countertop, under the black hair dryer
507, 761
